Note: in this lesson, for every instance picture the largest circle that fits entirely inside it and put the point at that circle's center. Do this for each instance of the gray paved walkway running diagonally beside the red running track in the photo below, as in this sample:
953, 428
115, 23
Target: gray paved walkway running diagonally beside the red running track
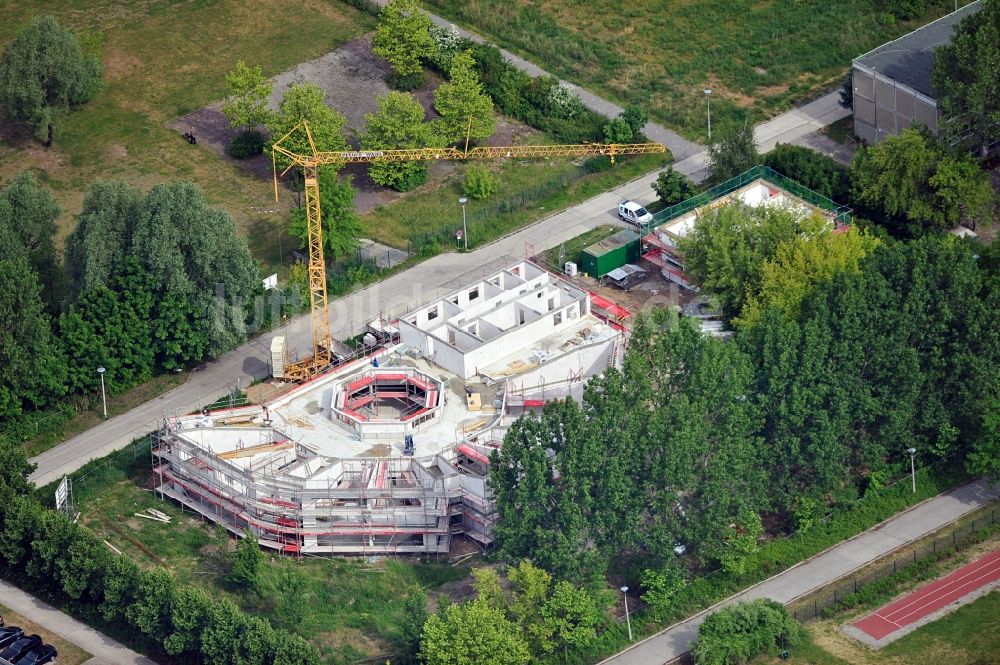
824, 568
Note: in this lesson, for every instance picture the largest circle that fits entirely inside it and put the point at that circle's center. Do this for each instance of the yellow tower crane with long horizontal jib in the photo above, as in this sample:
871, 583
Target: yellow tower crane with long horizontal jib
319, 305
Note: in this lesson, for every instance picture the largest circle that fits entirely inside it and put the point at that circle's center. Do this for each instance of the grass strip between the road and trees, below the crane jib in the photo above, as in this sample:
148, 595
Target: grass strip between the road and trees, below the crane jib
530, 190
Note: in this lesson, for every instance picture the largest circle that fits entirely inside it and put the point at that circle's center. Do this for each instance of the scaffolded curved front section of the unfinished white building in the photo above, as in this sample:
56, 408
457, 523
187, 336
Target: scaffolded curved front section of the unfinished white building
299, 503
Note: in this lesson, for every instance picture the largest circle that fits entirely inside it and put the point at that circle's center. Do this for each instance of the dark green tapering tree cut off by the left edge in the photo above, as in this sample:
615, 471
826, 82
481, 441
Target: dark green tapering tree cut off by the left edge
32, 363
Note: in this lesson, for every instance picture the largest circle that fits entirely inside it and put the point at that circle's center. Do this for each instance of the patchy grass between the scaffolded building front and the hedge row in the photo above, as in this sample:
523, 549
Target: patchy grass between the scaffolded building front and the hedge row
355, 605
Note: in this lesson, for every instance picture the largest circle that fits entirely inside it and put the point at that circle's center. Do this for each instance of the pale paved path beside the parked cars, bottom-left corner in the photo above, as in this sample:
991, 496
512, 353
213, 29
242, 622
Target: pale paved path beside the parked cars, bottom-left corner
105, 651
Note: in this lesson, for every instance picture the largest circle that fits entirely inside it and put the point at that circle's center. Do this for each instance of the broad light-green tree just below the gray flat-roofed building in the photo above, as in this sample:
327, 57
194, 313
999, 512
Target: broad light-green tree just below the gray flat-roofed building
910, 178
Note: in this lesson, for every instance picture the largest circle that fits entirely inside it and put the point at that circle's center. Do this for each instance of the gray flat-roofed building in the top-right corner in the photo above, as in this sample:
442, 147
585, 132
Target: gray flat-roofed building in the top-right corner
892, 83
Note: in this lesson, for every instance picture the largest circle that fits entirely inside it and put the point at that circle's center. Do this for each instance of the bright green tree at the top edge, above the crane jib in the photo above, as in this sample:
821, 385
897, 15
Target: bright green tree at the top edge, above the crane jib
402, 36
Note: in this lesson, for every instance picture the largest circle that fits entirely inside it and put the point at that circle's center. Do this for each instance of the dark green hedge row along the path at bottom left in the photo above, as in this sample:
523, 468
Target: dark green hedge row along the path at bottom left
45, 551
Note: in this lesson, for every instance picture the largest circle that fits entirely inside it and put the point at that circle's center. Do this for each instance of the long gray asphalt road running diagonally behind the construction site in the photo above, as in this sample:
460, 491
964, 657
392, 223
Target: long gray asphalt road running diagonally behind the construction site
400, 293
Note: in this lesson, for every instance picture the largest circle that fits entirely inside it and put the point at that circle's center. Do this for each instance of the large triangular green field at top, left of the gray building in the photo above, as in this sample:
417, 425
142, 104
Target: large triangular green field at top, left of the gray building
758, 58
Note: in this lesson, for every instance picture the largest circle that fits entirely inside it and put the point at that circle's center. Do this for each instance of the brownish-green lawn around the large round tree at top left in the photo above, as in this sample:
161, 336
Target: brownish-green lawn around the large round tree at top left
163, 59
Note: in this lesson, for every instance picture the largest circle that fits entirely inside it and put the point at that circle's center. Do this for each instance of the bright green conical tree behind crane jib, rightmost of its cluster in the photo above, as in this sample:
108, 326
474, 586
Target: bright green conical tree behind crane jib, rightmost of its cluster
399, 123
